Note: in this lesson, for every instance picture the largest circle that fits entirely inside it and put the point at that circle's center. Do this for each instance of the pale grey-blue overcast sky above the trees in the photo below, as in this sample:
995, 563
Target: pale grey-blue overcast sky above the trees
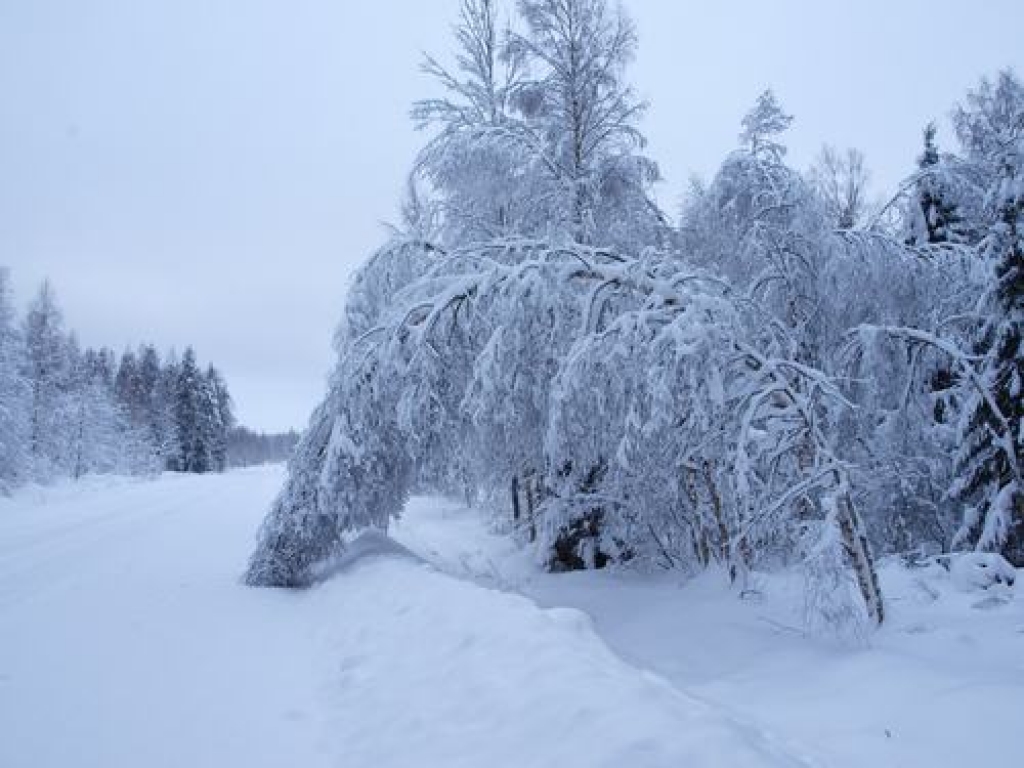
210, 172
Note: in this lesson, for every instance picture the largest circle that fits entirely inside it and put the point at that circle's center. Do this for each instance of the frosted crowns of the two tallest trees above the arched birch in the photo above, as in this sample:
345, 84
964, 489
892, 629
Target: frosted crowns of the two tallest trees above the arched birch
537, 130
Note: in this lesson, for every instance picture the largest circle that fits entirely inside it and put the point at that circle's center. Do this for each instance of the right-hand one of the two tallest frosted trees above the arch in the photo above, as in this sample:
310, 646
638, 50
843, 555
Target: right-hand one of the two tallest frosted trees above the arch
580, 119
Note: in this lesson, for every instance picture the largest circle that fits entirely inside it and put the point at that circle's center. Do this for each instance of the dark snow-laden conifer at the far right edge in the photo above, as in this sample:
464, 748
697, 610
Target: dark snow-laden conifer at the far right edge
966, 340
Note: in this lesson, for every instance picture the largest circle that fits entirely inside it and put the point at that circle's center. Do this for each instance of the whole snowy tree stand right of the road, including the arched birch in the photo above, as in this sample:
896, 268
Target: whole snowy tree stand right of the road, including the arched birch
785, 375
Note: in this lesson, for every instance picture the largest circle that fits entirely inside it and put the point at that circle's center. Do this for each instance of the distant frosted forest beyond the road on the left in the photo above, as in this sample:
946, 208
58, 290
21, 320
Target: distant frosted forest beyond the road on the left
67, 412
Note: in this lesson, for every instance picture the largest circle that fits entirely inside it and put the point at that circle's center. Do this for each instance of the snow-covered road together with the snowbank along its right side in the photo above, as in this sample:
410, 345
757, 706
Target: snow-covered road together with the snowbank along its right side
126, 641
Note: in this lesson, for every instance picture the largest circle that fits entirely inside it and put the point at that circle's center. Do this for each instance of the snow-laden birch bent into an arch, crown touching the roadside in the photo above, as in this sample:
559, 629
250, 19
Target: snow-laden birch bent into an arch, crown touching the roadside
592, 372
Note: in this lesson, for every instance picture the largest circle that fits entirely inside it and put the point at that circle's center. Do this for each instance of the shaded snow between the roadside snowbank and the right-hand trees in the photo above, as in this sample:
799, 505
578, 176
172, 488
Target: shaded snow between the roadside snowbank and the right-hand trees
941, 685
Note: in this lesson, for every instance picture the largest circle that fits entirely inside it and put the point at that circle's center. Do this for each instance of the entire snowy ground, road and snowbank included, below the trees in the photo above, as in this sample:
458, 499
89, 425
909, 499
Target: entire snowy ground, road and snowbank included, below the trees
127, 641
